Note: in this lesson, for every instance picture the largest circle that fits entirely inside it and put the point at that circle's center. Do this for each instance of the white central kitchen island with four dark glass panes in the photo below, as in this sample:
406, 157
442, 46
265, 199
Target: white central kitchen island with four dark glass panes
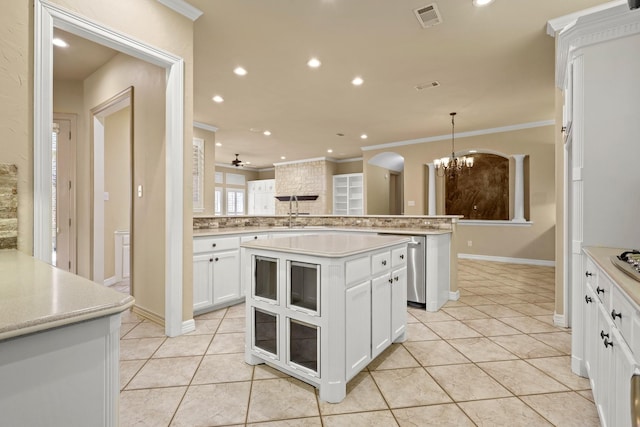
321, 307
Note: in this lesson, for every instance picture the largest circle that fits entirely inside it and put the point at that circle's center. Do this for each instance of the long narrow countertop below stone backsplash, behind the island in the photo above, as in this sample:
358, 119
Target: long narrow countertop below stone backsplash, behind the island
311, 228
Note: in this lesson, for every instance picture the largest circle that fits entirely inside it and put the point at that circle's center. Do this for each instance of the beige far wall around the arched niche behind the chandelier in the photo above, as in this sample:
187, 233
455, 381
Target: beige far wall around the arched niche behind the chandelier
536, 241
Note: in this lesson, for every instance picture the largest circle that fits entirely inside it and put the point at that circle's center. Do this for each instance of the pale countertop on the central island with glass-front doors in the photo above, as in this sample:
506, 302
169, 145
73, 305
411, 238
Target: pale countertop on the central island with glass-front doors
327, 245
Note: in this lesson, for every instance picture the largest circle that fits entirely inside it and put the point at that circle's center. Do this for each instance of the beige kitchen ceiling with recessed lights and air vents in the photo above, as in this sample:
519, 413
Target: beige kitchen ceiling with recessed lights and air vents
495, 67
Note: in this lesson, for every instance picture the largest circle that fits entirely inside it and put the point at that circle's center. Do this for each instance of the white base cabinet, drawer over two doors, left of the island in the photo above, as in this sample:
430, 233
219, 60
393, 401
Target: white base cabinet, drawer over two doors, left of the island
216, 272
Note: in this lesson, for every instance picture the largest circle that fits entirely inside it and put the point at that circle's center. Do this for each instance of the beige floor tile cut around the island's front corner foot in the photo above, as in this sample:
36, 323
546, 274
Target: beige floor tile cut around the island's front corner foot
362, 395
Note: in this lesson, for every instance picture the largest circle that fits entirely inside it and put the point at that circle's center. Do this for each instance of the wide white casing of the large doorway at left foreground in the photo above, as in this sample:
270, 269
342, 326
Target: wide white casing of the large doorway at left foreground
46, 17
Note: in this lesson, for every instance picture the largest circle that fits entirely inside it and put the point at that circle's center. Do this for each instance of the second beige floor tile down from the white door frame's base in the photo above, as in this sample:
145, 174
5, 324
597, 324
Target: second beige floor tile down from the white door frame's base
169, 372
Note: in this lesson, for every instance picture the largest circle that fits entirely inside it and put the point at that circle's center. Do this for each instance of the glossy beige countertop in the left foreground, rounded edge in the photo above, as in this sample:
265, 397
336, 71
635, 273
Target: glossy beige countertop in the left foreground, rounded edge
35, 296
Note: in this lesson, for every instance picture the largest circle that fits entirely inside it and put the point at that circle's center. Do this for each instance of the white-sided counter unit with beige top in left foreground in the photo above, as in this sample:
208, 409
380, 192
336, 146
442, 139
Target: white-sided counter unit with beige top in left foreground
59, 346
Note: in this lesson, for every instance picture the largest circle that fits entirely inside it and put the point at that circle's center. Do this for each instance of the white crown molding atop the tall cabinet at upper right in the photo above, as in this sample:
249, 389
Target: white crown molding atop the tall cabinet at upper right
612, 23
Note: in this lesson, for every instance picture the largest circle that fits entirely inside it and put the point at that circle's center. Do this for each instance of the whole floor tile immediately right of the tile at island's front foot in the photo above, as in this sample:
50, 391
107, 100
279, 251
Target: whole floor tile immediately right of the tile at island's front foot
409, 387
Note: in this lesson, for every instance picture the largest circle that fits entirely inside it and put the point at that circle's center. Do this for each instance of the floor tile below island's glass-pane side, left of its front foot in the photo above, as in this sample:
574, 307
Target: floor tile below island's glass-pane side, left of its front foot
281, 398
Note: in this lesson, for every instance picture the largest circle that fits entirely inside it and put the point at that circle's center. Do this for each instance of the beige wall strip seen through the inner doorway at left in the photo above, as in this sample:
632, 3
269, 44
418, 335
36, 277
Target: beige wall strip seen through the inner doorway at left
117, 182
